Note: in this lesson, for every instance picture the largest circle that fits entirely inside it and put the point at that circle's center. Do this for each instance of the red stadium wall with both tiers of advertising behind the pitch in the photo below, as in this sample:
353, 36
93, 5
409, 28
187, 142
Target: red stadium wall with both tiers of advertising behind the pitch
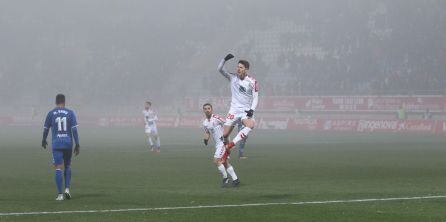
368, 123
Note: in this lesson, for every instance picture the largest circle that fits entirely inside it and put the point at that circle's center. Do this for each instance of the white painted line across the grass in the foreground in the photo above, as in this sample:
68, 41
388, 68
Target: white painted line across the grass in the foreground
226, 205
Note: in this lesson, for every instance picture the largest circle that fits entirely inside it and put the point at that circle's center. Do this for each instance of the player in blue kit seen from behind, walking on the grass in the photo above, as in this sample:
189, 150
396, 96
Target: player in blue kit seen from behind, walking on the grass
63, 124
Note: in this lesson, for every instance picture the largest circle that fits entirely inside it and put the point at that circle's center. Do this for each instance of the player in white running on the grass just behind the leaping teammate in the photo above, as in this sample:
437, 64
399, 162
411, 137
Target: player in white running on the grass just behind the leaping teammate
213, 126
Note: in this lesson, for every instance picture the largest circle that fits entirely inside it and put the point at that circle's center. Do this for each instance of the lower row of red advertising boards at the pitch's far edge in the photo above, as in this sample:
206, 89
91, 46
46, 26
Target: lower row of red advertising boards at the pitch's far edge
263, 123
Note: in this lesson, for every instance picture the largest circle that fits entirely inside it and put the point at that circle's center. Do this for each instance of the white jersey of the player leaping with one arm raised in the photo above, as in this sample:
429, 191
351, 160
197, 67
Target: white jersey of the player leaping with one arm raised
244, 92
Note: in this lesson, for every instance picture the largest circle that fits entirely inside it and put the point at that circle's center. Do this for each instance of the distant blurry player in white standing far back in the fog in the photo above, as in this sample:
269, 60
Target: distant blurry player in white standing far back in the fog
151, 130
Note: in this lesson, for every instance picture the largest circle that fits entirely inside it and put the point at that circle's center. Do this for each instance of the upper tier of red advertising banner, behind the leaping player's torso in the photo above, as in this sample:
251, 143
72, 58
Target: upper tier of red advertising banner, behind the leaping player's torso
335, 103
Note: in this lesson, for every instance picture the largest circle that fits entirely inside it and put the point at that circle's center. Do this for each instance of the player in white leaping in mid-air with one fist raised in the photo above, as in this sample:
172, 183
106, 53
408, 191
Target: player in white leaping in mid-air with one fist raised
245, 94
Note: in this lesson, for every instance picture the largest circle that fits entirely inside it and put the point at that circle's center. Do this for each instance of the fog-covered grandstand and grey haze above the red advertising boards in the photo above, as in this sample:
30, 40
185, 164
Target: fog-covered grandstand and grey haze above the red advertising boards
109, 56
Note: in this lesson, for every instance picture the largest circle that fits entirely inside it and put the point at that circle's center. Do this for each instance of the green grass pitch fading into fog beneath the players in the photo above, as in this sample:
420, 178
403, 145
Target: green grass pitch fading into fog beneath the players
116, 170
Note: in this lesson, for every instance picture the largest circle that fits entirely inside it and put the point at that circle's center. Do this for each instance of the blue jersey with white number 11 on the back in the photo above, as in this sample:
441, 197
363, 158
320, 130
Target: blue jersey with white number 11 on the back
61, 121
